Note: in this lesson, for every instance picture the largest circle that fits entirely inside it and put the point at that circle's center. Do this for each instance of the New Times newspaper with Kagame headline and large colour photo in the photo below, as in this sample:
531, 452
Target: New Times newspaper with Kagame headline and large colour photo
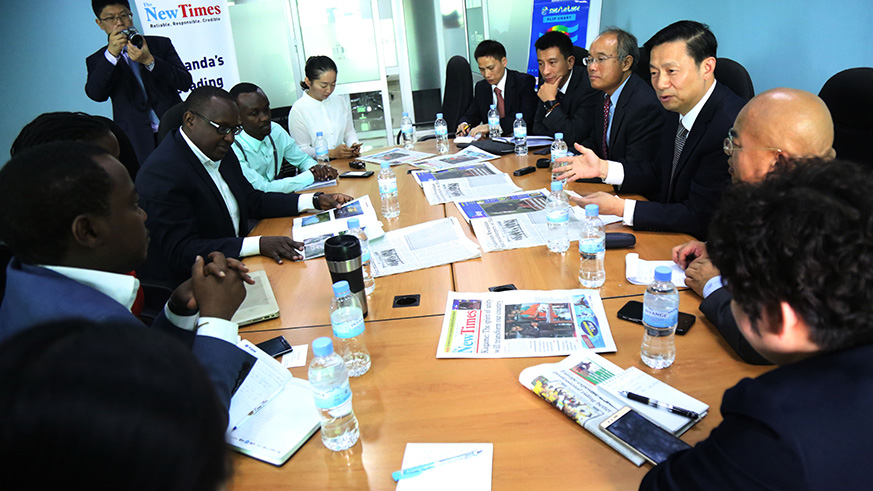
523, 323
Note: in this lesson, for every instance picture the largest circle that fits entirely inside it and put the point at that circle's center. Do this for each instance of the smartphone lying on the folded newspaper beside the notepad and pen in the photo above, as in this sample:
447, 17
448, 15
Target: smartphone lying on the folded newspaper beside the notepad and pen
649, 440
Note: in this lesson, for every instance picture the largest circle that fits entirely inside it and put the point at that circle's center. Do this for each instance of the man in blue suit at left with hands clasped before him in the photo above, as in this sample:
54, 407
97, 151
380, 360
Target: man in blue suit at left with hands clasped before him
72, 221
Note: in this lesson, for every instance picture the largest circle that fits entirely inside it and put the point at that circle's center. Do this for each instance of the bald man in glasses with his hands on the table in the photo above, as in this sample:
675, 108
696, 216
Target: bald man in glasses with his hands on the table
774, 127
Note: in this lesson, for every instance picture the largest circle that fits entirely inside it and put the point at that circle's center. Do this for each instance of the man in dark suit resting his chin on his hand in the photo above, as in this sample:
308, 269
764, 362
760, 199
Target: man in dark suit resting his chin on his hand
567, 101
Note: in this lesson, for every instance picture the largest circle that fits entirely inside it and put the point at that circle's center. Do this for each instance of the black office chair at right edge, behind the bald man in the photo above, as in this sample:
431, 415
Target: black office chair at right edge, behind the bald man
849, 98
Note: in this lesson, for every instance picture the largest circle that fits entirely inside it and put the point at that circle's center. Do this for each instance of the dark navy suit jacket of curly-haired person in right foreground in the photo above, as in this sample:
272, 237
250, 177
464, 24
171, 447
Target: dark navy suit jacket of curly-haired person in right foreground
800, 426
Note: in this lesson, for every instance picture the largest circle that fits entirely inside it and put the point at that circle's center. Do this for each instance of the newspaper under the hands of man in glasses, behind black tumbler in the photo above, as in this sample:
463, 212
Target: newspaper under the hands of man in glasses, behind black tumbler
313, 230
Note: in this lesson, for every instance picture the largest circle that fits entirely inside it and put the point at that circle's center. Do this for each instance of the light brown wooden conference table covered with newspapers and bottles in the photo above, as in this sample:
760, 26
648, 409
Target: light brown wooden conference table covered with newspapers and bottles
410, 396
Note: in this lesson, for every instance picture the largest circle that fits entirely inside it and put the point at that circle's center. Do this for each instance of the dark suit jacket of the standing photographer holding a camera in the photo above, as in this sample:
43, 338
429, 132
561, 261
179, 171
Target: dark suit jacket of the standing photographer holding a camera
129, 106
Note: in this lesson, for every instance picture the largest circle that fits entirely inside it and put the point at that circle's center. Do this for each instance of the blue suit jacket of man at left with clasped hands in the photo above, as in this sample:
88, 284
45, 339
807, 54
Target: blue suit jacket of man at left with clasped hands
35, 296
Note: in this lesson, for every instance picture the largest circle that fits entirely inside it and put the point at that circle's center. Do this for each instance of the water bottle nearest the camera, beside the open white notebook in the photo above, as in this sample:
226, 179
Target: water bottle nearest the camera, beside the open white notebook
329, 379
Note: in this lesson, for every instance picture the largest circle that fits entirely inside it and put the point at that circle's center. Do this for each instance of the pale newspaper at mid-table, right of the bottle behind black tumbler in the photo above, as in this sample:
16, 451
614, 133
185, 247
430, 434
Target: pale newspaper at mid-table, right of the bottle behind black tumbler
421, 246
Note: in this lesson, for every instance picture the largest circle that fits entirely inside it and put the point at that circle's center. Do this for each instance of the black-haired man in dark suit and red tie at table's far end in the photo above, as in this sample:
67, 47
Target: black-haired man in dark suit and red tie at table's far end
511, 92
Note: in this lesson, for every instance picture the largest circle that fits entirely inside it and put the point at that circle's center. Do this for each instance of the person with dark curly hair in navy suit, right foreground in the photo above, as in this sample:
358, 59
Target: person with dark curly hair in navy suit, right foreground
796, 253
